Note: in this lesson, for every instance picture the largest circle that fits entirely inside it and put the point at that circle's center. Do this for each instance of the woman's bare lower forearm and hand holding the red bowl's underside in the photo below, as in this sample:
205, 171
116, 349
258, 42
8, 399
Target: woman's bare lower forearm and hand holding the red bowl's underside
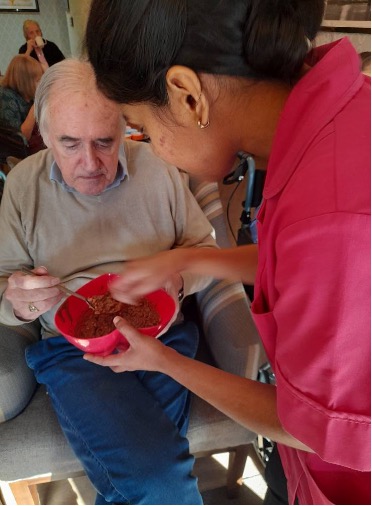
250, 403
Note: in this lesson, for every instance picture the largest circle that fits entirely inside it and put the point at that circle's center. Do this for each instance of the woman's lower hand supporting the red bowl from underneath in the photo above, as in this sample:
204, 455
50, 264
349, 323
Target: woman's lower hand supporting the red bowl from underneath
145, 353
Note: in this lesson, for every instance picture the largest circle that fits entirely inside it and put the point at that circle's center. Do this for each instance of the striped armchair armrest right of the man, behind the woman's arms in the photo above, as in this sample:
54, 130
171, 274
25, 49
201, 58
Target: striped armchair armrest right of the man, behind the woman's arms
224, 307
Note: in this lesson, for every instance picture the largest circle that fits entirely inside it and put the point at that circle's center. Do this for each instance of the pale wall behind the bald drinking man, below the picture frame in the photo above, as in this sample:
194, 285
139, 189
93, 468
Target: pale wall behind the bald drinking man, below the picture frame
52, 20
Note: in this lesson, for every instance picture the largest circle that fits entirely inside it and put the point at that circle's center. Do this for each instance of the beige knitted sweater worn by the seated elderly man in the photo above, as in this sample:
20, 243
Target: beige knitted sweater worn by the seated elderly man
78, 237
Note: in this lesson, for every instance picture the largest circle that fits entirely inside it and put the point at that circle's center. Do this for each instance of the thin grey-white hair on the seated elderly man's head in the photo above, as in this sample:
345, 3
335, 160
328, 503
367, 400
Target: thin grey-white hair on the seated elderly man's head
67, 77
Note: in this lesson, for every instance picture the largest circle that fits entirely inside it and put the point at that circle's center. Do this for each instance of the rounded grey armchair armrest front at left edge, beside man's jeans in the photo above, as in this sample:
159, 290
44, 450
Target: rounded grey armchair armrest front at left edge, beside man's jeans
17, 381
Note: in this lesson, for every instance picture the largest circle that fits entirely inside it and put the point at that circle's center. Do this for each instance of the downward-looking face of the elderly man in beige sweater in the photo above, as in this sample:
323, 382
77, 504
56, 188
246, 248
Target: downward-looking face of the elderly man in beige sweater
85, 132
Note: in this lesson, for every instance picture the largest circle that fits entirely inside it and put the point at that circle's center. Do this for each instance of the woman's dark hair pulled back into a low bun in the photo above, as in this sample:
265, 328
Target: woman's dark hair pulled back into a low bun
132, 43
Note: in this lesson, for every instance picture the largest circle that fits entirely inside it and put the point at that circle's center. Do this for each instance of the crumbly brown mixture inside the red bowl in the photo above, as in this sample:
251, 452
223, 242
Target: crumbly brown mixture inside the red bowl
100, 321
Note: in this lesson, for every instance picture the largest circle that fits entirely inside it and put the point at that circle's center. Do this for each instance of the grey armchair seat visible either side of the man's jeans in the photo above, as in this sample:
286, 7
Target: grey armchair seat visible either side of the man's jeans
33, 444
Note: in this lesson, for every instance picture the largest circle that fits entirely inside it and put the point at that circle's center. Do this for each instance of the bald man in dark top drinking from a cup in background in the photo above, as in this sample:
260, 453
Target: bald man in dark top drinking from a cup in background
45, 51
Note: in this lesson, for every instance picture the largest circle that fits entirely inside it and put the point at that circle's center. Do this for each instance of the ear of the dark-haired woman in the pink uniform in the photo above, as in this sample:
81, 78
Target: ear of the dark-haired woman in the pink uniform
186, 97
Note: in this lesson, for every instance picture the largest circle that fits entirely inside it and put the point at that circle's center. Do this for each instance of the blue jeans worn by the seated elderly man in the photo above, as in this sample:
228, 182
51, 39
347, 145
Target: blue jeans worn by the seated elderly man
127, 429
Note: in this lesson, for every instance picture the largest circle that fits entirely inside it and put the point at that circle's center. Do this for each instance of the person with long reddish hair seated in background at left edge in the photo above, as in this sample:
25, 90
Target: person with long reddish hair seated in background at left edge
17, 92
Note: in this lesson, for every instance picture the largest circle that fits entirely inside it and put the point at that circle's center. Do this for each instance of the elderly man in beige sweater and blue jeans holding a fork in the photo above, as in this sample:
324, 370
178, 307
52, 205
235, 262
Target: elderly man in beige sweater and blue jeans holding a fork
72, 212
